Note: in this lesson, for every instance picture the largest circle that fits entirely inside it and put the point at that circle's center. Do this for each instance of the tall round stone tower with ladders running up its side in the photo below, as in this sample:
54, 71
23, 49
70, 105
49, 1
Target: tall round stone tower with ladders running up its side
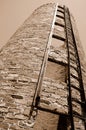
42, 74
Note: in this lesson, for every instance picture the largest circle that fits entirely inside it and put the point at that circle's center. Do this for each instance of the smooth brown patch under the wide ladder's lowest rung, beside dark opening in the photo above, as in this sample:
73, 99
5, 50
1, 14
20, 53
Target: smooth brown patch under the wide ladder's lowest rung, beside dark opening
47, 121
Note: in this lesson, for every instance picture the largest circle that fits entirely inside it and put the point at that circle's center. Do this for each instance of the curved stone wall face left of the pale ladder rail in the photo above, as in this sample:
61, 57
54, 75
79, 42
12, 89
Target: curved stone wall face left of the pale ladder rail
20, 64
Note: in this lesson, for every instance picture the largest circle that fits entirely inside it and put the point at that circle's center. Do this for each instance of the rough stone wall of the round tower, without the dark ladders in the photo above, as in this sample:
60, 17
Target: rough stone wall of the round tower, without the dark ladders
21, 61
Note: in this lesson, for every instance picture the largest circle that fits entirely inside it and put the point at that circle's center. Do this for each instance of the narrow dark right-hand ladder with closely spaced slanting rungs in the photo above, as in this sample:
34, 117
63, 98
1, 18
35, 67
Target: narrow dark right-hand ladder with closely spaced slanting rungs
74, 62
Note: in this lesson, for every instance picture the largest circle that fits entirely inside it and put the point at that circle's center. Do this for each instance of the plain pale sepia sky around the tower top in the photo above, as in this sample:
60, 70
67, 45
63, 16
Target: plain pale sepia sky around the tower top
14, 12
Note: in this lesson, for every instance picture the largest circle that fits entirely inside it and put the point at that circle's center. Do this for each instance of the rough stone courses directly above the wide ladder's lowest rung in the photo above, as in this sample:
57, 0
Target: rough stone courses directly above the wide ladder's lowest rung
54, 95
